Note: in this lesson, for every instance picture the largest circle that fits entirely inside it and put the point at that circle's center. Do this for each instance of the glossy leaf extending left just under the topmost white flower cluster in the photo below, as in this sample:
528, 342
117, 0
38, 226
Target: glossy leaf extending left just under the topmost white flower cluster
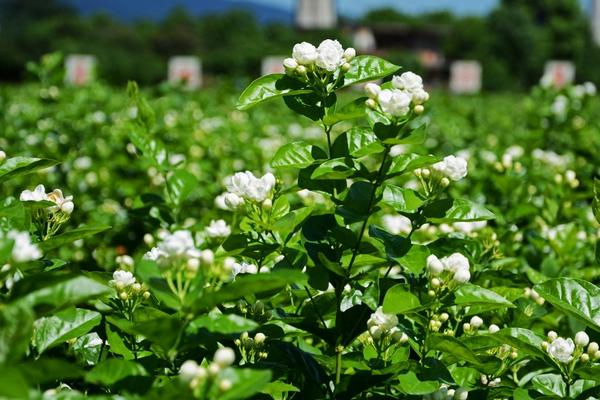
269, 87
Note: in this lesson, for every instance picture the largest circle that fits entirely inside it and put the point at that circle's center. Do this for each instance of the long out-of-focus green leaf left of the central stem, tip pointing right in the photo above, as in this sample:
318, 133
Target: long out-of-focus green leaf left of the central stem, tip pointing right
249, 285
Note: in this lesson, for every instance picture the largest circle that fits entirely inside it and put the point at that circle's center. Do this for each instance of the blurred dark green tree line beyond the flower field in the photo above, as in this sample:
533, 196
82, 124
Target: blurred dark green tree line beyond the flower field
513, 42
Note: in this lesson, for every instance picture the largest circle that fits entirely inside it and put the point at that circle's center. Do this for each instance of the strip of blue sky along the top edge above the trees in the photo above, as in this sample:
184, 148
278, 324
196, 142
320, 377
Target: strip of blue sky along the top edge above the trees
354, 8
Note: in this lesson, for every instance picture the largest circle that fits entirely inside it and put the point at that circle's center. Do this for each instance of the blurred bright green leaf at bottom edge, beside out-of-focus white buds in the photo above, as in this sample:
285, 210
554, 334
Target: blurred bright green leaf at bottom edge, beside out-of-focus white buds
245, 383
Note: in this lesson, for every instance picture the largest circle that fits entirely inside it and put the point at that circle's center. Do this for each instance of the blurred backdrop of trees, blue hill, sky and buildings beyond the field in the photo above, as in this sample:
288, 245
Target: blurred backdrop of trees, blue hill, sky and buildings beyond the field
135, 39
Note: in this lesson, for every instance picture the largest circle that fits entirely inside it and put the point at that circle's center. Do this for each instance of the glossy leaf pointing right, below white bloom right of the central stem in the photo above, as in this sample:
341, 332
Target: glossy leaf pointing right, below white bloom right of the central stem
452, 210
